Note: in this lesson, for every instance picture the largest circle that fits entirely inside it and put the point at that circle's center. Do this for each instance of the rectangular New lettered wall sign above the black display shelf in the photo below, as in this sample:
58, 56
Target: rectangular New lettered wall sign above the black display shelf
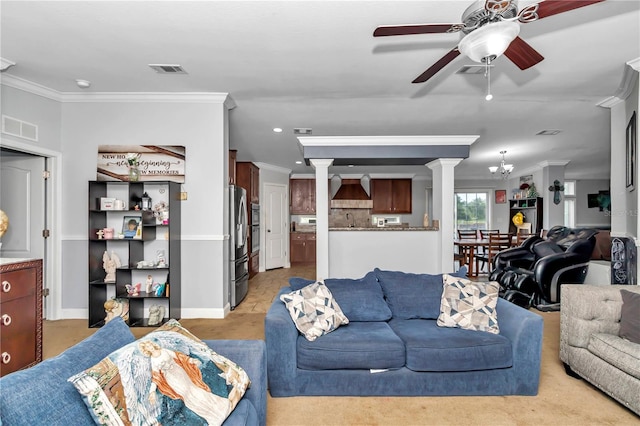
153, 162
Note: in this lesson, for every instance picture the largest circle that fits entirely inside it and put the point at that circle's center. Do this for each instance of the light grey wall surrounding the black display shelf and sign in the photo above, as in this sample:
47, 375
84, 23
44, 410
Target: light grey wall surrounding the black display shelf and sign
200, 126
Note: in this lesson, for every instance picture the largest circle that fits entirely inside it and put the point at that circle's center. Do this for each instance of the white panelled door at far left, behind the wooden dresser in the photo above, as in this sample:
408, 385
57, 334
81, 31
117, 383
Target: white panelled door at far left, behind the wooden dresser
22, 198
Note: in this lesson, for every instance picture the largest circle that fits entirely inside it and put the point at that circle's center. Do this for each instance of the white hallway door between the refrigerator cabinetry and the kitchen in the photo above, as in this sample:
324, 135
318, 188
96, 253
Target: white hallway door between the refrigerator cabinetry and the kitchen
276, 225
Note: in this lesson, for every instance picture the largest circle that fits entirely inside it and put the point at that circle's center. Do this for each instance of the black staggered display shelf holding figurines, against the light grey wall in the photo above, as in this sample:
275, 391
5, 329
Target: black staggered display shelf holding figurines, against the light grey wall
154, 252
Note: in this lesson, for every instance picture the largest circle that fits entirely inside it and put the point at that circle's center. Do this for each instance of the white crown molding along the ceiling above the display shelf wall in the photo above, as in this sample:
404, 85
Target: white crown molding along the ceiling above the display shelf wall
39, 90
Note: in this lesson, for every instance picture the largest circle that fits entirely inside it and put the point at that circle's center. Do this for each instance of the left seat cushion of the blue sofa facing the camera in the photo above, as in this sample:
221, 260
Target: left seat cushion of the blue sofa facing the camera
359, 345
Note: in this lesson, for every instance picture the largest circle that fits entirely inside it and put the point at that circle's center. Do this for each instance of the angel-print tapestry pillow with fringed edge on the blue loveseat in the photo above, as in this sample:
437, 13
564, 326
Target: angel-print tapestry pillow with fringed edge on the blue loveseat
168, 376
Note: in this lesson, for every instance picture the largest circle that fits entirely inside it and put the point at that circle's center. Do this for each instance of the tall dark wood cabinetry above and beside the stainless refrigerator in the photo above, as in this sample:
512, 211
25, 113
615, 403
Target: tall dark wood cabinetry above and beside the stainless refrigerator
248, 177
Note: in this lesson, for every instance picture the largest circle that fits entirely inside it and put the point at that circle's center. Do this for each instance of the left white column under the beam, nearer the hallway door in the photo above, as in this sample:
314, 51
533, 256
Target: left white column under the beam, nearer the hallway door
322, 217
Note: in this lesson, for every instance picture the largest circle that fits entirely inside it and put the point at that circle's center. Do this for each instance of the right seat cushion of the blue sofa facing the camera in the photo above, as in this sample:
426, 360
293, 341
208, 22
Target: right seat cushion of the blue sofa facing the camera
433, 348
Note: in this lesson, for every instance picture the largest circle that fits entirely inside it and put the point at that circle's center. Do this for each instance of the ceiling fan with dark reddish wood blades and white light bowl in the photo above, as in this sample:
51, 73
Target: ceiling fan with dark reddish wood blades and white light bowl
490, 28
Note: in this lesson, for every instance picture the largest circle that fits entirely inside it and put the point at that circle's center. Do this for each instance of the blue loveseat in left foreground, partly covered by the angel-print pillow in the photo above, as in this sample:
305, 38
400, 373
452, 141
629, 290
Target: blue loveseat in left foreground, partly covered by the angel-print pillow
41, 395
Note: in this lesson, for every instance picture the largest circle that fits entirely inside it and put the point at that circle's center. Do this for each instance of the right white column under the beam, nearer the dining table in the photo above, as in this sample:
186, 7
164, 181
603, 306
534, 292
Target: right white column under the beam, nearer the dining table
443, 208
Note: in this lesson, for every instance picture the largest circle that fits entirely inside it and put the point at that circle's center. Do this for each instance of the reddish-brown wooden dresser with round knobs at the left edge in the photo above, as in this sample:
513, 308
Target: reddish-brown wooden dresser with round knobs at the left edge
20, 314
